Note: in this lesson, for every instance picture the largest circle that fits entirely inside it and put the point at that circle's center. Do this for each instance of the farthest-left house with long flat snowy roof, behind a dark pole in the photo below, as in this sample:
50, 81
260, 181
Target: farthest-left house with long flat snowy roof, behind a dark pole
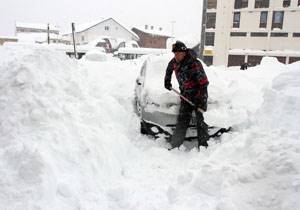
38, 33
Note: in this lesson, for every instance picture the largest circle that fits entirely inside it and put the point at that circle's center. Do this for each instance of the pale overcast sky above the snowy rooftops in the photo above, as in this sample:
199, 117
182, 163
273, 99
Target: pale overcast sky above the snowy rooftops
160, 13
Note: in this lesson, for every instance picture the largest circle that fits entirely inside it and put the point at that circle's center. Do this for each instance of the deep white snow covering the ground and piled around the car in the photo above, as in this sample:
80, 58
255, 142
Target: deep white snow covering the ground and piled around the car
69, 139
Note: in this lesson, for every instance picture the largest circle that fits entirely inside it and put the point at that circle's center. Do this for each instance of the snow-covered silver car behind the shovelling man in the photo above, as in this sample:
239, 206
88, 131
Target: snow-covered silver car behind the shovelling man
158, 107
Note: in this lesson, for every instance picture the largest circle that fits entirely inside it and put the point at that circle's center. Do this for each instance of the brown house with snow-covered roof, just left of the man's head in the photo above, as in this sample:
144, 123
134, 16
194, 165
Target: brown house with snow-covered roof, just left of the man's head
151, 37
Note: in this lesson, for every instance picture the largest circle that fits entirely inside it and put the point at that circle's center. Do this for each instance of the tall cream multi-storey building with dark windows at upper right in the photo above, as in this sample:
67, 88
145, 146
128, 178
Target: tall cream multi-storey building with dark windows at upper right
243, 31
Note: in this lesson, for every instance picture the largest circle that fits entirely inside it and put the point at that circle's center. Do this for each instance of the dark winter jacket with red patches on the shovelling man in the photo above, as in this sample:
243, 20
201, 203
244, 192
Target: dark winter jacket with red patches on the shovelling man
191, 77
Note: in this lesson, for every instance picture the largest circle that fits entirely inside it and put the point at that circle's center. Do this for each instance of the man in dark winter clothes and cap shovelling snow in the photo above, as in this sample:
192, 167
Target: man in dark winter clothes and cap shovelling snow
193, 85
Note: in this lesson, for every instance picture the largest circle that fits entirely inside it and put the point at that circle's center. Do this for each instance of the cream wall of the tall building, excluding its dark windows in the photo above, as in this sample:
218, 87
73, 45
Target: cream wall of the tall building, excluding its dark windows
249, 22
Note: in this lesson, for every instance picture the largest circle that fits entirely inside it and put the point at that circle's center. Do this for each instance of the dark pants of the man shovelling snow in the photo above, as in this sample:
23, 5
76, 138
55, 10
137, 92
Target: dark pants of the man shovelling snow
183, 121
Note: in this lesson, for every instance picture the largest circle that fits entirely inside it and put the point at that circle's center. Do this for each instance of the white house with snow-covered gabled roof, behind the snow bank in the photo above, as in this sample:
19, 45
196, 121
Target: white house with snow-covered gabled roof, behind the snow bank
88, 32
